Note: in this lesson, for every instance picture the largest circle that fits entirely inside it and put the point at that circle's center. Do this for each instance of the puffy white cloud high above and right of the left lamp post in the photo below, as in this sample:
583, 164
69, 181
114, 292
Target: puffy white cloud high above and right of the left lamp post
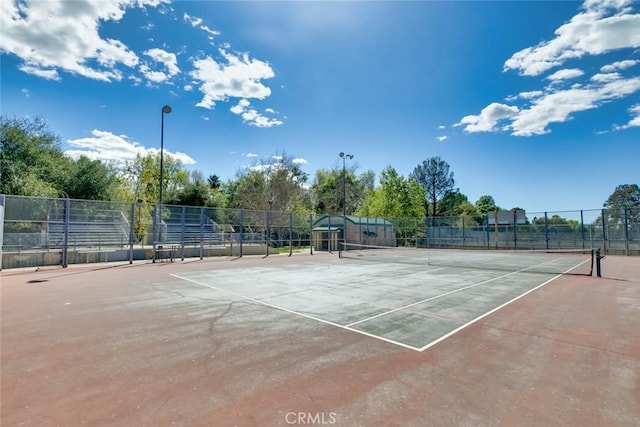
239, 77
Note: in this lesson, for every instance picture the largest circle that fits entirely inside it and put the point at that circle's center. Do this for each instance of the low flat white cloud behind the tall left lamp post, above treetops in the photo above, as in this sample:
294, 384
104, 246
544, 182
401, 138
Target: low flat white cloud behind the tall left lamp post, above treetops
106, 146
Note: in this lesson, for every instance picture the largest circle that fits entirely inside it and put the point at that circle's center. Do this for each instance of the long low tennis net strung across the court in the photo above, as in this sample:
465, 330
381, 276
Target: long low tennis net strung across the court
572, 261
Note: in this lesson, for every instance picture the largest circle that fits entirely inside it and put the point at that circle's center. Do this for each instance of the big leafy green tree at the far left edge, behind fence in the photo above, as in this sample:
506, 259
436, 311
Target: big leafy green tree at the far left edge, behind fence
31, 161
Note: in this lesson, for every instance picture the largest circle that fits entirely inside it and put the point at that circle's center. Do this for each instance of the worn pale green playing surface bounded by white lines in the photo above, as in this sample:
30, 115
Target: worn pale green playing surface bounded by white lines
405, 303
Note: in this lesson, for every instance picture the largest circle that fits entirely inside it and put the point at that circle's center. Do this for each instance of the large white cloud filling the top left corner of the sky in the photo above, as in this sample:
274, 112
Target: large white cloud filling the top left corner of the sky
59, 35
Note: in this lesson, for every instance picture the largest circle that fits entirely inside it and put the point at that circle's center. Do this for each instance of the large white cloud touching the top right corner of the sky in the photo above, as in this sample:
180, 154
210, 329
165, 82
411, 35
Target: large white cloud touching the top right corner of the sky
601, 27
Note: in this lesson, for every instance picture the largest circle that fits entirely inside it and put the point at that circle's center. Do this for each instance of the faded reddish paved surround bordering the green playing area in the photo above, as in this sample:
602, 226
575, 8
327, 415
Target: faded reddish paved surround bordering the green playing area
130, 345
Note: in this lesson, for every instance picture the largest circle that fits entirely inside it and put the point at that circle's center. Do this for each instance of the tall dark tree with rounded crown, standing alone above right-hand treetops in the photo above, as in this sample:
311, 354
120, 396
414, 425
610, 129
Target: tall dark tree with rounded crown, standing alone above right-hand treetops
436, 180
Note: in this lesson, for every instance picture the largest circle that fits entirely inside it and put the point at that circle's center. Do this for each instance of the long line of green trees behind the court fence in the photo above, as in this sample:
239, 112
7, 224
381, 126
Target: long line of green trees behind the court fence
32, 163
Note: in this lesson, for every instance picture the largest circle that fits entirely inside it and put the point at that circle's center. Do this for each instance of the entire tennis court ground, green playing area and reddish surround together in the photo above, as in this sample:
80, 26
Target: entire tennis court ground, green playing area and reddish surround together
372, 338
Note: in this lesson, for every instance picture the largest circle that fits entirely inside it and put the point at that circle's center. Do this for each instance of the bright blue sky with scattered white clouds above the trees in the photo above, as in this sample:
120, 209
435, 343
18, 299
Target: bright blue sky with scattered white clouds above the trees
534, 103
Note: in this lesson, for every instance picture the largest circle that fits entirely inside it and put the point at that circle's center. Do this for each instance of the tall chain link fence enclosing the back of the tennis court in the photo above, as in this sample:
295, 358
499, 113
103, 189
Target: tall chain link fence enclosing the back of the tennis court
45, 231
